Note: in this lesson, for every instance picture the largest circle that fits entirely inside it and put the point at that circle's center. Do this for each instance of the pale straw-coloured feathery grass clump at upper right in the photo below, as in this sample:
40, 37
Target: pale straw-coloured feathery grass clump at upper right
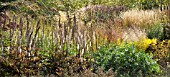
140, 18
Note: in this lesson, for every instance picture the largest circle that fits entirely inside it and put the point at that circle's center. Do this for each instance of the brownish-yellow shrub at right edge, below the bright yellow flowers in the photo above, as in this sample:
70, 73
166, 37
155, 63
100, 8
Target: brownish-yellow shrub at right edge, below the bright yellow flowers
160, 51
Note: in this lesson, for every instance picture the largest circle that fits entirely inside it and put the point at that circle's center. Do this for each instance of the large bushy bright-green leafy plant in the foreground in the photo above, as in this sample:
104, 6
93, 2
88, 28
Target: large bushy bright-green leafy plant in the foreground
125, 60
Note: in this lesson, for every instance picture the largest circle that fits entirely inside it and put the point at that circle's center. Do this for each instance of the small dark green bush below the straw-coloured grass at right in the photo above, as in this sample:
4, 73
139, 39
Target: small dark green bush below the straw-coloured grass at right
156, 31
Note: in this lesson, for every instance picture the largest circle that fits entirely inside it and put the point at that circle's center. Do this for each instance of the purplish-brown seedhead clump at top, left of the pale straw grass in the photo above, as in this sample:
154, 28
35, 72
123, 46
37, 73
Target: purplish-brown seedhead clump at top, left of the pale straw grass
100, 13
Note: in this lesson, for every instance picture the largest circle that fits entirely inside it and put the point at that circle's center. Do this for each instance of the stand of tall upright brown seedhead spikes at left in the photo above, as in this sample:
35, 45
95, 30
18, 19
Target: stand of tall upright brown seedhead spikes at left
61, 38
